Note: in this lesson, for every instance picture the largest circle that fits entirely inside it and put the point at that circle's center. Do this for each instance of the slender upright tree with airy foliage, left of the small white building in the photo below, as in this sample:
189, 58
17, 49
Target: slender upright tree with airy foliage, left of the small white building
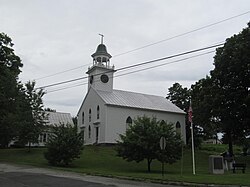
34, 116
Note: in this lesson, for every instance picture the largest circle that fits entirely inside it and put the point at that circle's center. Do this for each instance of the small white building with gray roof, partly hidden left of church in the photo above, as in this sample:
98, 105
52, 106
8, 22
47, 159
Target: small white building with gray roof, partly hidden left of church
53, 118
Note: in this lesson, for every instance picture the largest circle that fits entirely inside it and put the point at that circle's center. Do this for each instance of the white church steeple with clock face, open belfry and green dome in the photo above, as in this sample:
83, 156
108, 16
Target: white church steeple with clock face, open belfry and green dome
101, 73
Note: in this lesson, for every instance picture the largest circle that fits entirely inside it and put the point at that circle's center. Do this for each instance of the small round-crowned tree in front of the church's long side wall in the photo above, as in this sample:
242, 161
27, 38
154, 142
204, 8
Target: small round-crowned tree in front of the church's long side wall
141, 141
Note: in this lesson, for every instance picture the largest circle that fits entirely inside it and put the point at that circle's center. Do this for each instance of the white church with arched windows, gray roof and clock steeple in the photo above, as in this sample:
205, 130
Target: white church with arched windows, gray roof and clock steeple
105, 112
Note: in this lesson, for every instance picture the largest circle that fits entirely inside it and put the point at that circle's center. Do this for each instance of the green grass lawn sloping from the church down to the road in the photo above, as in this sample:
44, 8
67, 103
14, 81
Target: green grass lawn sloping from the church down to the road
103, 161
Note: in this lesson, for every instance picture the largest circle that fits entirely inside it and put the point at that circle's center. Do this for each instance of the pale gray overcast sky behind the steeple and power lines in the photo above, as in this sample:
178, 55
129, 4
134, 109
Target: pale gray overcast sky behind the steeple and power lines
52, 36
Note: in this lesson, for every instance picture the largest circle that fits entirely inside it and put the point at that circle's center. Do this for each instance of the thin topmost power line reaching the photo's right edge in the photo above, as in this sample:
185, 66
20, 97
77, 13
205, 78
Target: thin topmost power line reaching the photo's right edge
155, 43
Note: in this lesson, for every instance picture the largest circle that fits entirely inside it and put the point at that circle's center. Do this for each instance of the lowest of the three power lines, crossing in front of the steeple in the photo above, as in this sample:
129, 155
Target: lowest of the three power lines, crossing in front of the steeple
136, 71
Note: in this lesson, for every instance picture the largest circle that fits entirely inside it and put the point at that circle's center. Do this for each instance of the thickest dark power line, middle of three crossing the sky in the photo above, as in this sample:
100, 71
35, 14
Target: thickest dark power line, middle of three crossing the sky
135, 65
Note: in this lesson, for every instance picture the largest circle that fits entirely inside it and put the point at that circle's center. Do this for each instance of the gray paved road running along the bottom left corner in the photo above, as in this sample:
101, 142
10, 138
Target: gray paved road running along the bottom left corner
16, 176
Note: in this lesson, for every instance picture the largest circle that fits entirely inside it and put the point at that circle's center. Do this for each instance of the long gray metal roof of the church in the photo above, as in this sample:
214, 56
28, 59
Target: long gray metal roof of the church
138, 100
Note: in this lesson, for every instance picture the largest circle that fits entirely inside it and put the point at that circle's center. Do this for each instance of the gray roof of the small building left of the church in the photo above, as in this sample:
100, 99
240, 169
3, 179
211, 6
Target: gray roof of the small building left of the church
58, 118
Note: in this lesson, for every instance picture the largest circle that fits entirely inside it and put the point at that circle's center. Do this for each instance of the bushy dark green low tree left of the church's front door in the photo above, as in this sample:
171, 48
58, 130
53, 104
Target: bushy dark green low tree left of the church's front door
64, 145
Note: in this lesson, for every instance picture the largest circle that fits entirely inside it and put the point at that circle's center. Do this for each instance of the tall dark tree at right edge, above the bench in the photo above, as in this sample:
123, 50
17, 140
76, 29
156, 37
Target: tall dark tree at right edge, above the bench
231, 83
